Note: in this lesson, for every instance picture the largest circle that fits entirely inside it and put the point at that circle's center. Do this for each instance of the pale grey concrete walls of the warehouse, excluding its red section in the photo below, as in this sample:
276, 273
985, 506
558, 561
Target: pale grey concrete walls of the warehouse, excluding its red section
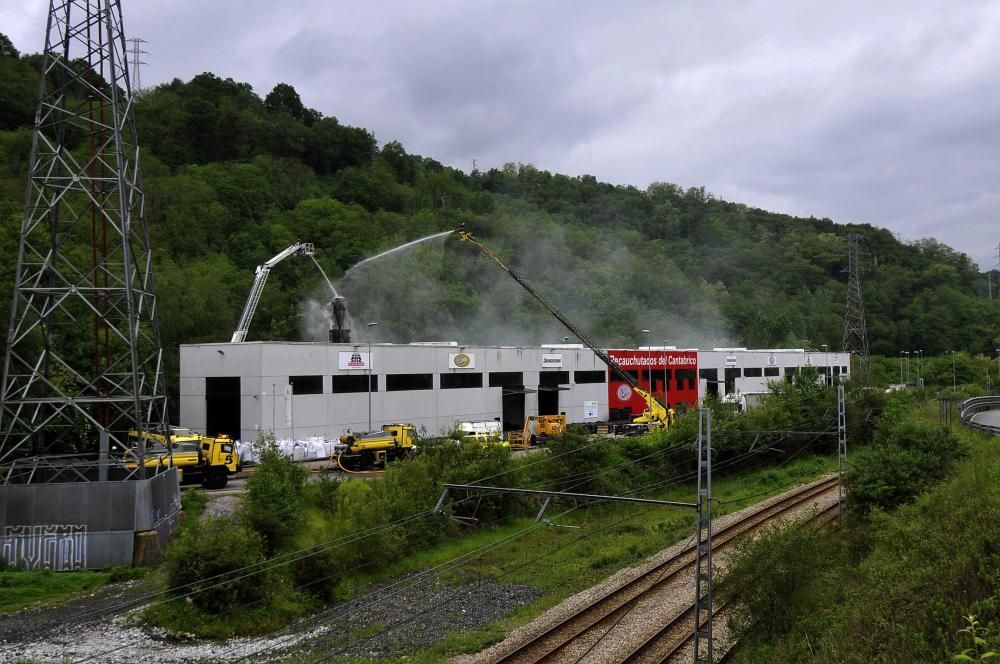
265, 367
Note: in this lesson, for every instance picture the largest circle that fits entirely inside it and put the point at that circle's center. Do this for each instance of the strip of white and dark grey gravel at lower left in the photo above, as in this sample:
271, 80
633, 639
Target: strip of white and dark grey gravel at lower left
408, 617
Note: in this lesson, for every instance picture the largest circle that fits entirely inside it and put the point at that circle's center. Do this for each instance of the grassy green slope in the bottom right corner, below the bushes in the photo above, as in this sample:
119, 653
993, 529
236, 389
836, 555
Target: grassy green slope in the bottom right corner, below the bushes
896, 588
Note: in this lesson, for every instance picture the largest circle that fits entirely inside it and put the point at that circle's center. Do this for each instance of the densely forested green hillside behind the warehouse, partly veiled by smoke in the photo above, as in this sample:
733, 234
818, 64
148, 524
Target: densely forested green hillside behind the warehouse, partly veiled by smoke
232, 178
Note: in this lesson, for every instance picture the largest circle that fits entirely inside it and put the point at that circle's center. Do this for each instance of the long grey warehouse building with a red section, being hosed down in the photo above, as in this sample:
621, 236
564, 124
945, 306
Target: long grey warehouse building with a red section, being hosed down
302, 390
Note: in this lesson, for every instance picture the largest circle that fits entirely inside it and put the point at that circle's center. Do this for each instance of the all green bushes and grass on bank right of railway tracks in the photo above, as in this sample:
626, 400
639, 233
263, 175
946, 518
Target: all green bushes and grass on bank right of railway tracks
901, 581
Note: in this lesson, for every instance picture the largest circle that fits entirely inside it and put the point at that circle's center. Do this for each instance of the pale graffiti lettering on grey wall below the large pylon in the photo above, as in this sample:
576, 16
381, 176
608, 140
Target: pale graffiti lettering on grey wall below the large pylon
57, 547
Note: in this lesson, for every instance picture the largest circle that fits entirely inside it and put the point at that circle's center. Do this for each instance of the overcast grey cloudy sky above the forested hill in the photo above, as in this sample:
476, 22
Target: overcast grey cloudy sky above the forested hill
886, 113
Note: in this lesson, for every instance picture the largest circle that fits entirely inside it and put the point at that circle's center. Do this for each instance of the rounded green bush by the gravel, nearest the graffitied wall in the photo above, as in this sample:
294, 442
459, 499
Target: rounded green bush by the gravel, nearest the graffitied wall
208, 556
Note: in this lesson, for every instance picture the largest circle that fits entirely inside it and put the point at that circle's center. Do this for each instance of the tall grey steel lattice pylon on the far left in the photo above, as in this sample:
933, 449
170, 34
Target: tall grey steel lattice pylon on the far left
83, 355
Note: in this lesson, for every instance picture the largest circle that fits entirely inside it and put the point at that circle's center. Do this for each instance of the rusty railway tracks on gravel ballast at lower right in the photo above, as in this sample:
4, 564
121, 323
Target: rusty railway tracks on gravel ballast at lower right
574, 636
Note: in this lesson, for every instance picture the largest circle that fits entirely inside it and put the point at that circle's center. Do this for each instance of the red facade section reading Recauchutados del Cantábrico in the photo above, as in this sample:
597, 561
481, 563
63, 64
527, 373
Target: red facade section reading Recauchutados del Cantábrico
680, 367
